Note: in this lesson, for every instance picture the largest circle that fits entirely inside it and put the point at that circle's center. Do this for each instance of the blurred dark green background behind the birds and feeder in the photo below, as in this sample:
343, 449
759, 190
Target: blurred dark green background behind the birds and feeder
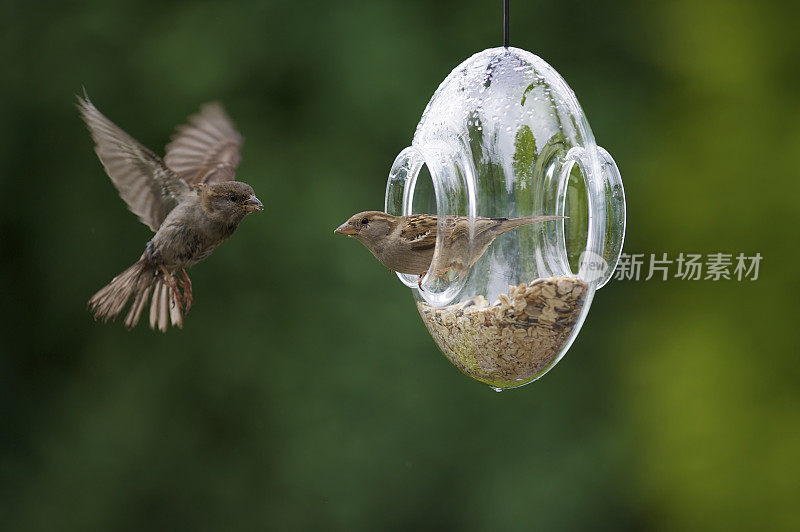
304, 391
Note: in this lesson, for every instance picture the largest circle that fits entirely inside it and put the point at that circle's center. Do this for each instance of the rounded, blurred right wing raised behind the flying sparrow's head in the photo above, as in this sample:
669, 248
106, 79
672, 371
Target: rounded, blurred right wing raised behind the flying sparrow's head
206, 150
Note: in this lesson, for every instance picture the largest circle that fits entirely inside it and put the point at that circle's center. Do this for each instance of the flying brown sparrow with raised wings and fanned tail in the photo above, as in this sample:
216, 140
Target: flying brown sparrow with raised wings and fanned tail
189, 198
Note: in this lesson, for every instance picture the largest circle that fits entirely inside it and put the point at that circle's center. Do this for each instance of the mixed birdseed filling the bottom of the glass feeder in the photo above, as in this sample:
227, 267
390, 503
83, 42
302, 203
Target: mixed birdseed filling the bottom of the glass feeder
514, 340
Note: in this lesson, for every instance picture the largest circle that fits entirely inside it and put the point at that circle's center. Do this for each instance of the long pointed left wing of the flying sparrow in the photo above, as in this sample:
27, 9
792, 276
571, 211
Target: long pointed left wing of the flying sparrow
149, 188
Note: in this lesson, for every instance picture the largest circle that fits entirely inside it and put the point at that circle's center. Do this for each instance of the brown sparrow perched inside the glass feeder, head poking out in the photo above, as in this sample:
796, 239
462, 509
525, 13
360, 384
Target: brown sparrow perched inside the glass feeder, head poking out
406, 243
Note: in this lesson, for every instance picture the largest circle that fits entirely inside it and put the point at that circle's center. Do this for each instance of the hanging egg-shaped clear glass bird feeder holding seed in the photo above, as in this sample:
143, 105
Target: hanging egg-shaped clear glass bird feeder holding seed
504, 136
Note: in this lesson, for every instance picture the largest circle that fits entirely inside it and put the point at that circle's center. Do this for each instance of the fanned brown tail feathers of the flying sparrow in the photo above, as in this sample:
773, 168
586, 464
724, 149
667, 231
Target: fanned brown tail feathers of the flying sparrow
137, 282
